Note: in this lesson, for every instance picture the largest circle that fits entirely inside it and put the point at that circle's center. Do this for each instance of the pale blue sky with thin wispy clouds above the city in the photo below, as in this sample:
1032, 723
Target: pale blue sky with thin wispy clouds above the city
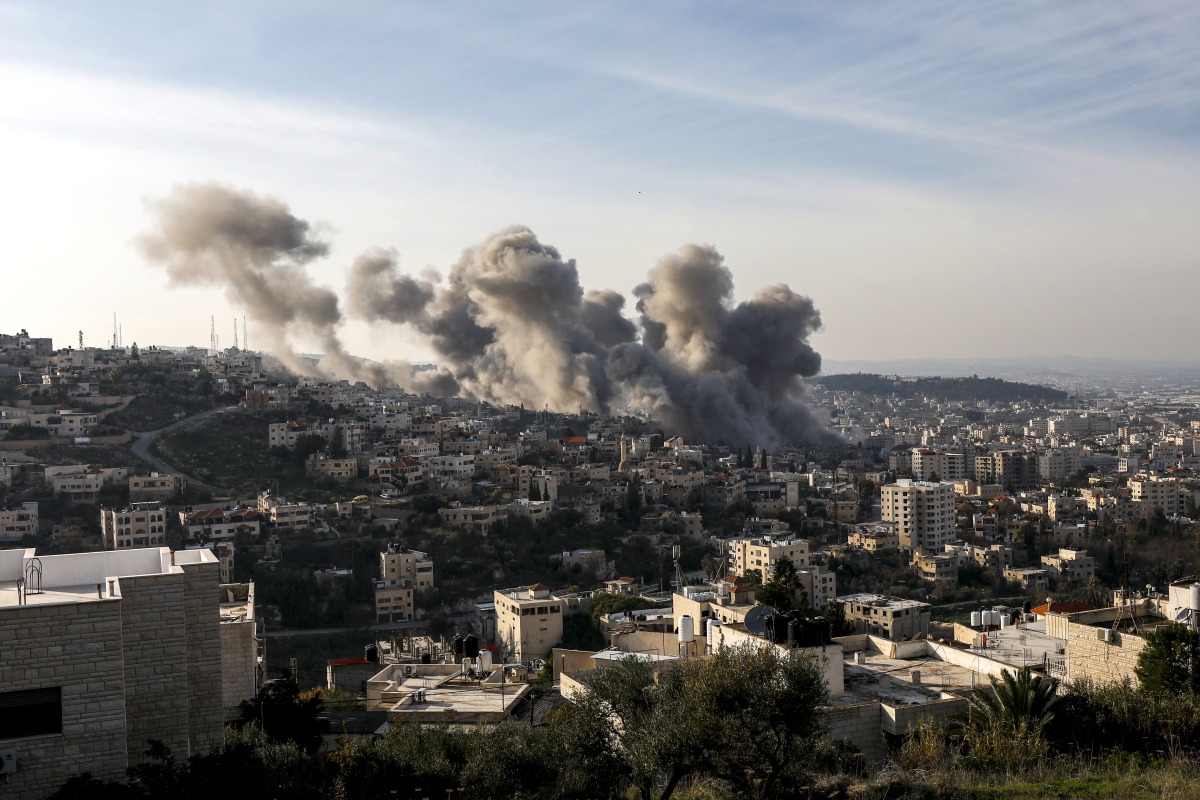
944, 181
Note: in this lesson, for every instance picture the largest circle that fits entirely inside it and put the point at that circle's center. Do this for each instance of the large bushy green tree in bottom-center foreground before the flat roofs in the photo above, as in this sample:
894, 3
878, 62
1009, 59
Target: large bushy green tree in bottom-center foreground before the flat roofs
747, 717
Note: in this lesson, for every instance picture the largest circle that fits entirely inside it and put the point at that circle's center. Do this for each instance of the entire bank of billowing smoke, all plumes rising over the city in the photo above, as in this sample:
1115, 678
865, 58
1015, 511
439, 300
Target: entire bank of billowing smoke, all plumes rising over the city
512, 323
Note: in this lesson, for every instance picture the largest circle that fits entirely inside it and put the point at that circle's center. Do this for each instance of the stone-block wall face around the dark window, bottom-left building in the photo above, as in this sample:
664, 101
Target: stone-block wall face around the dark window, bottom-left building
76, 647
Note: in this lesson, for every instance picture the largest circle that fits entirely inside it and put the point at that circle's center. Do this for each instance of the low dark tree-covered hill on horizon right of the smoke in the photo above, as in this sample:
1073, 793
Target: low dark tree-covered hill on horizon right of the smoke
944, 389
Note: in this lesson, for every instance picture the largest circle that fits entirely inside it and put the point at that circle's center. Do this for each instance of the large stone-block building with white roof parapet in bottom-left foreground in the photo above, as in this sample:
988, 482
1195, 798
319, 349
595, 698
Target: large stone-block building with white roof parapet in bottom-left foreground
146, 627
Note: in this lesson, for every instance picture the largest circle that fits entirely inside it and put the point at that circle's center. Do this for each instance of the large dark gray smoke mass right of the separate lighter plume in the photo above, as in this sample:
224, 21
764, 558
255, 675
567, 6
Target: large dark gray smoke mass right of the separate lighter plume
514, 326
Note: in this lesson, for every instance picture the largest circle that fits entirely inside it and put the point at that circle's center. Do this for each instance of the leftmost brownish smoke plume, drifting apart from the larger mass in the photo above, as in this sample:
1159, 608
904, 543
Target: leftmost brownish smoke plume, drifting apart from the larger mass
256, 250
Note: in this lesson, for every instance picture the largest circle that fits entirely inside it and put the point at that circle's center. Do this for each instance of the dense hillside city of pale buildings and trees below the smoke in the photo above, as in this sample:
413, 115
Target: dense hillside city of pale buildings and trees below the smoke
411, 594
